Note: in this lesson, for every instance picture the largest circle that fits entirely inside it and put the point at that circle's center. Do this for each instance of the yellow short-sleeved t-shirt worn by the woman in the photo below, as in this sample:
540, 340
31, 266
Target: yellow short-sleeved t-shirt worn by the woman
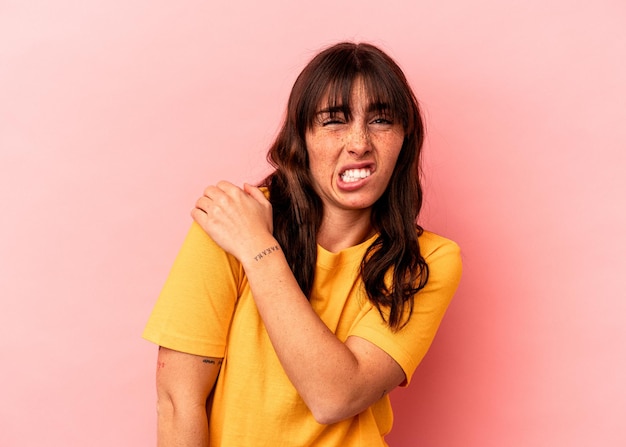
206, 308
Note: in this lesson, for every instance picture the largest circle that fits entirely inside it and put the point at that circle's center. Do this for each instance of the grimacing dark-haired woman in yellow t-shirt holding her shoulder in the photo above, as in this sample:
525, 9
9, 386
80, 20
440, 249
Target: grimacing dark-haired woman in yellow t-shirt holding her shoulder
292, 310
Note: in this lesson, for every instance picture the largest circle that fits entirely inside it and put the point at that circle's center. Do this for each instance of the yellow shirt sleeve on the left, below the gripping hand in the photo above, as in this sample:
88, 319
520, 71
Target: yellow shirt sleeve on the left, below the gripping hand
194, 310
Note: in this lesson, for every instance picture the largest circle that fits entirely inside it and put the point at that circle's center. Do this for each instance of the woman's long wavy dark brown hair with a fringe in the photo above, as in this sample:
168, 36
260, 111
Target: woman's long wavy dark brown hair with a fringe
393, 269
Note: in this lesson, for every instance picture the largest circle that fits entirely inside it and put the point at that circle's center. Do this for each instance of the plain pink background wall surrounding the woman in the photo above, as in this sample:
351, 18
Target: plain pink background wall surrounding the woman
114, 115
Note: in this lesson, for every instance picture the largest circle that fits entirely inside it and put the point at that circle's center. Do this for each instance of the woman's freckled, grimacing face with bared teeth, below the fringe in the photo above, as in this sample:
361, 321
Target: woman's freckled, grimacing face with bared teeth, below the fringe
352, 158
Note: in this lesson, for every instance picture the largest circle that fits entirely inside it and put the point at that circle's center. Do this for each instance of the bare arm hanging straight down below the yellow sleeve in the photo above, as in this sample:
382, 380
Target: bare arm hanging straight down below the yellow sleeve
184, 383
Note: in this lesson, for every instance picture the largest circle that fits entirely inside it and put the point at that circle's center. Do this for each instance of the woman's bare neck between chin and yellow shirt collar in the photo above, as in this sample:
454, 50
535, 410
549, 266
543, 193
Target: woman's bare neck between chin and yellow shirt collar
342, 230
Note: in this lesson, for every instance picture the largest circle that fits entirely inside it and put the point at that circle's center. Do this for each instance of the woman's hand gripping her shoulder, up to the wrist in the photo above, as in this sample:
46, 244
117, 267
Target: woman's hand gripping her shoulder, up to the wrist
238, 220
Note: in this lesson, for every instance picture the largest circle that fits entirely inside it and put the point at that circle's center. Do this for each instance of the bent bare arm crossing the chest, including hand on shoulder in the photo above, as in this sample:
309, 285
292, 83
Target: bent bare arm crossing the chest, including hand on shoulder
336, 380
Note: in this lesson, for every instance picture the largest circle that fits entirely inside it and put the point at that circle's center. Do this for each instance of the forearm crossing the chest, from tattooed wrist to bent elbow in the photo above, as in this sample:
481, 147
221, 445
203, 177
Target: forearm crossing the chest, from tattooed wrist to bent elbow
321, 367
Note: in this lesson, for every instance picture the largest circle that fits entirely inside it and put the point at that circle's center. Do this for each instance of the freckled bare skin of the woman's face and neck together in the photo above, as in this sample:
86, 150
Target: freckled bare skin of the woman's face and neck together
368, 140
